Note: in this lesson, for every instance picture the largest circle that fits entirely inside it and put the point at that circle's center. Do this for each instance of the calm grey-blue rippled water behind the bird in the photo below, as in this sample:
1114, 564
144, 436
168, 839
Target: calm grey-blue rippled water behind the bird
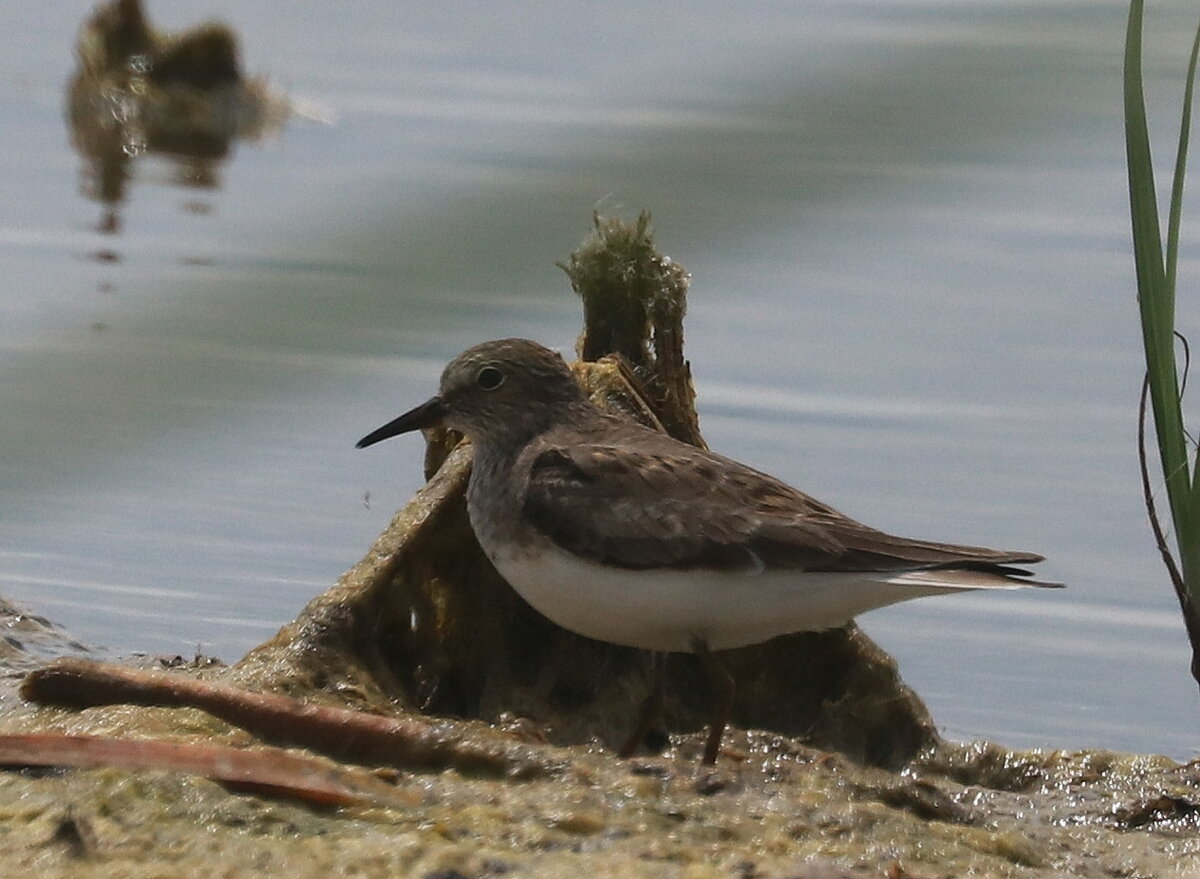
913, 297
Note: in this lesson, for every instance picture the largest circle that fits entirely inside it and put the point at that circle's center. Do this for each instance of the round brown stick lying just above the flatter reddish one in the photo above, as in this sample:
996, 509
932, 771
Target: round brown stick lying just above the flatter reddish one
349, 736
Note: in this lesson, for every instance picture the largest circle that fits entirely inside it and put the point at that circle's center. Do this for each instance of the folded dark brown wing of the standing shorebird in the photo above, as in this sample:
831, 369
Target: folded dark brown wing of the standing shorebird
641, 504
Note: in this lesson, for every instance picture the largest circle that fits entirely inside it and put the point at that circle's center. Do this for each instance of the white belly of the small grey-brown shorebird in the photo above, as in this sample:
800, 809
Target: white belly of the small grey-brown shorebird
668, 611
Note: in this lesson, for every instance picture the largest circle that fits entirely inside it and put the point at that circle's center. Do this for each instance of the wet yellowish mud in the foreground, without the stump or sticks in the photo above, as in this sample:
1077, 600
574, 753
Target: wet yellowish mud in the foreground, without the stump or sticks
773, 808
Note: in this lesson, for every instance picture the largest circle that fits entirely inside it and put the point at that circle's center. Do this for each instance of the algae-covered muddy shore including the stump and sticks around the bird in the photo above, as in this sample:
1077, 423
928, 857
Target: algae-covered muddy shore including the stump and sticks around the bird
837, 769
